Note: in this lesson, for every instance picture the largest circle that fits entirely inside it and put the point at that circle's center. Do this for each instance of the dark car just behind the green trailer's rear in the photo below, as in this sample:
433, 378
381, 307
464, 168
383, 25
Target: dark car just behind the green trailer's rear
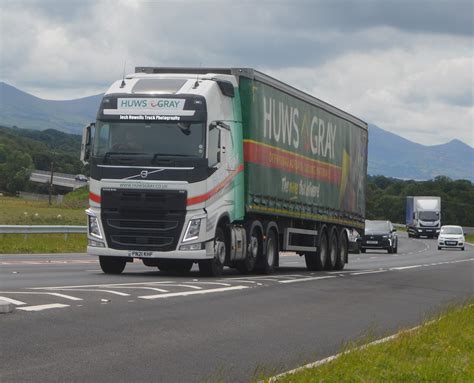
379, 235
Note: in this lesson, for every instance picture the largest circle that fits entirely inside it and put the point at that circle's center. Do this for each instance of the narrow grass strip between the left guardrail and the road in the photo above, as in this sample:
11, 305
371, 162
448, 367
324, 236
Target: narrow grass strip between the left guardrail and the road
42, 243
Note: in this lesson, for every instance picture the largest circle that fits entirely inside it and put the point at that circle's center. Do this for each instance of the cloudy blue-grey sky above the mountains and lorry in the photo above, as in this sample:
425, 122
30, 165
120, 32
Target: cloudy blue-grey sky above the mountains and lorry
406, 66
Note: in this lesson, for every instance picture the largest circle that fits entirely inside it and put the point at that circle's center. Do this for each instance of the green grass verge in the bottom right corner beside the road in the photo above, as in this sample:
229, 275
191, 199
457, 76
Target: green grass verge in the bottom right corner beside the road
439, 351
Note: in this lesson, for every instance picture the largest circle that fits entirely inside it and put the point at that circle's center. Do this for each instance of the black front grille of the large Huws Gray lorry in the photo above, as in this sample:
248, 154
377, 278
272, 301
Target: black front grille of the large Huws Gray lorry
143, 219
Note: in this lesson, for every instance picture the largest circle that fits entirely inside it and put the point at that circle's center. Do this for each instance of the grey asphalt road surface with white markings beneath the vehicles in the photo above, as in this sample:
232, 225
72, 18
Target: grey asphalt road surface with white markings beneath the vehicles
73, 323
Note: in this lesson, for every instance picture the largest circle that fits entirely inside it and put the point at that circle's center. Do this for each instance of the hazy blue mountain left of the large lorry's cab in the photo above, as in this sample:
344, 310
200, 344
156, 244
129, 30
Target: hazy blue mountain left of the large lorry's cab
21, 109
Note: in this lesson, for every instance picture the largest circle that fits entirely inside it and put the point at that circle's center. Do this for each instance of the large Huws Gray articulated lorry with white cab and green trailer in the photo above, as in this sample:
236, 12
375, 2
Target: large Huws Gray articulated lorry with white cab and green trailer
221, 167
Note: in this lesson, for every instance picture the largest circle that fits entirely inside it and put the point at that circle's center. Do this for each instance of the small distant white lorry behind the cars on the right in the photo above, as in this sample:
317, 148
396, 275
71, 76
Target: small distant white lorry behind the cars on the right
423, 216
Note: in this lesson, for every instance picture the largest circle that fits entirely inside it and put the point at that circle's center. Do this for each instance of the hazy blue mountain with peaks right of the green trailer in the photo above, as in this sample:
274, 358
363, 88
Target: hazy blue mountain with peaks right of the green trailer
393, 156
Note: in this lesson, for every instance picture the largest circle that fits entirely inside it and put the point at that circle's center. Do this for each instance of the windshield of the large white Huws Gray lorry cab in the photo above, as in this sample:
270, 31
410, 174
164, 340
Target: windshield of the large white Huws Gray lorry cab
181, 139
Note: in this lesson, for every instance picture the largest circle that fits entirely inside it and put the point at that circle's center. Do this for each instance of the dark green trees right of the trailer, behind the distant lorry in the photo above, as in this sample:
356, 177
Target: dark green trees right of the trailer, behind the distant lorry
385, 198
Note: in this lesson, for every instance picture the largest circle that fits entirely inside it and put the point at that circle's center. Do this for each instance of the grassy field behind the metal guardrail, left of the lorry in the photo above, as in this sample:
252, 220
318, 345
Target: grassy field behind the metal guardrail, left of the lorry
16, 211
